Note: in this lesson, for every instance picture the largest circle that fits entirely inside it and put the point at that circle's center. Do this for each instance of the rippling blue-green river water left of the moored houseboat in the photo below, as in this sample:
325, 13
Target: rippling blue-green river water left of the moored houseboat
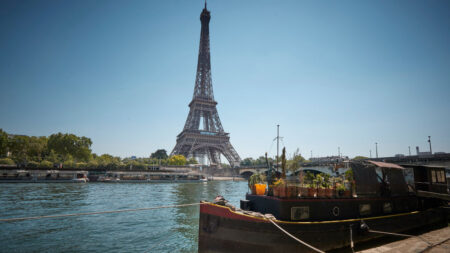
161, 230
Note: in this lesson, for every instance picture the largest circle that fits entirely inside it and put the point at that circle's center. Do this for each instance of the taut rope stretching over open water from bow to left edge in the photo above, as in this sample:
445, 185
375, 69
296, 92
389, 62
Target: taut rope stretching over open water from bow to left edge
93, 213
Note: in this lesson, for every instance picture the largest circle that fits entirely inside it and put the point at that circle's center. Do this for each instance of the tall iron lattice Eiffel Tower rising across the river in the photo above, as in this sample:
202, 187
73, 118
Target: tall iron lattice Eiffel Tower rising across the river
208, 140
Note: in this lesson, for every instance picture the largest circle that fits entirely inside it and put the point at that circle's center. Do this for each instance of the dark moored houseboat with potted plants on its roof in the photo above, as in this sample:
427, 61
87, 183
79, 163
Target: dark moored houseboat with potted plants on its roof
382, 200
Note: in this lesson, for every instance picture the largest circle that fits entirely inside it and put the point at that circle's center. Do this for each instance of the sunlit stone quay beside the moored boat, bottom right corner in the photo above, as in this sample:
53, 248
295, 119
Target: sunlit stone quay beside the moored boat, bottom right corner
440, 240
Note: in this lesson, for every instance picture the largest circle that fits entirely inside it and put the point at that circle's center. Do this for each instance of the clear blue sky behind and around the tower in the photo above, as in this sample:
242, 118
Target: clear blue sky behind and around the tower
331, 73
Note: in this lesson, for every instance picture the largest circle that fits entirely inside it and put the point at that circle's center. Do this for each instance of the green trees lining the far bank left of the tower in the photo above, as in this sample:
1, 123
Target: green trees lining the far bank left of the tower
73, 151
